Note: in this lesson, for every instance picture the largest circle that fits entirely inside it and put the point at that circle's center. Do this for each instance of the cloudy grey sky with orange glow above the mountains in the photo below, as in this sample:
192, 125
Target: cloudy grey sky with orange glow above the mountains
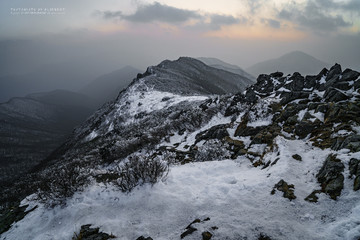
144, 32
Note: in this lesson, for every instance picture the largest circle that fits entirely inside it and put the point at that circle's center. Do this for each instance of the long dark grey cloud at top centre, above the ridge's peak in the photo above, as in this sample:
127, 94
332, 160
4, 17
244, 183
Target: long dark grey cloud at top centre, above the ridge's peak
164, 13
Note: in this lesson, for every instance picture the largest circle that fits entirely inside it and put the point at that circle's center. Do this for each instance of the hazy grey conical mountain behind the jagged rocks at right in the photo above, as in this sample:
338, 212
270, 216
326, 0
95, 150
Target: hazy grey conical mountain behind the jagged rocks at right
289, 63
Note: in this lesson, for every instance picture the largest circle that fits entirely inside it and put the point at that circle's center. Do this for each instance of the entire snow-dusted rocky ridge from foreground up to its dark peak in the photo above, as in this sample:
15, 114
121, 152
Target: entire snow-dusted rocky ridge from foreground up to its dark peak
280, 160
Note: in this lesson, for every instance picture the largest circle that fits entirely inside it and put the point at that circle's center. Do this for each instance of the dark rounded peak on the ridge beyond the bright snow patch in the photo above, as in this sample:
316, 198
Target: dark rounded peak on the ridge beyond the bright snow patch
190, 76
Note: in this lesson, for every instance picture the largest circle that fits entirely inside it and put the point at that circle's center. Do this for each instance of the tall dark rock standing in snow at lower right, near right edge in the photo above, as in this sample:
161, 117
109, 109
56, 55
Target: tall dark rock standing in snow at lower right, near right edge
330, 176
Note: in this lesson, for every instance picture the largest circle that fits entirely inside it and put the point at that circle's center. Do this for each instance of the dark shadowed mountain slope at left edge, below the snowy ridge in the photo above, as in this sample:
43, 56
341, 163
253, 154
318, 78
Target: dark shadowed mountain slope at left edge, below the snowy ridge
32, 127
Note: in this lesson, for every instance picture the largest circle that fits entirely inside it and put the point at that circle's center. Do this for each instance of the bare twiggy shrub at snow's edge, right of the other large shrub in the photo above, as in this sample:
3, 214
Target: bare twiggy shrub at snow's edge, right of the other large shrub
140, 170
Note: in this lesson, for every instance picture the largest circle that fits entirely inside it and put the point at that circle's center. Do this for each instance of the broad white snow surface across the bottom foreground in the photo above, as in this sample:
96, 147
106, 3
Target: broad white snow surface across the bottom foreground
232, 193
